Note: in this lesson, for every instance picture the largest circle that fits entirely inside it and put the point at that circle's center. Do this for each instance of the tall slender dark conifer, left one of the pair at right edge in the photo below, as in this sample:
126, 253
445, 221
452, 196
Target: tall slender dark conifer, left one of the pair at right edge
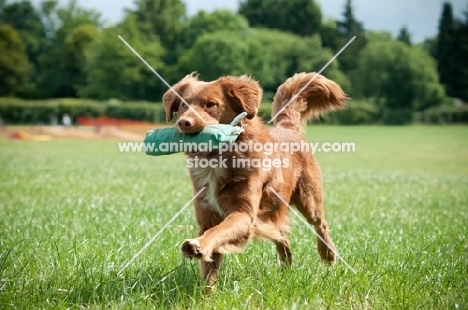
445, 49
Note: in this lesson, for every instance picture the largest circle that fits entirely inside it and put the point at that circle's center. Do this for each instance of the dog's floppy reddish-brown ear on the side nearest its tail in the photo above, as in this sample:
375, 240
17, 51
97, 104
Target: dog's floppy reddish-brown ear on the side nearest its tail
245, 93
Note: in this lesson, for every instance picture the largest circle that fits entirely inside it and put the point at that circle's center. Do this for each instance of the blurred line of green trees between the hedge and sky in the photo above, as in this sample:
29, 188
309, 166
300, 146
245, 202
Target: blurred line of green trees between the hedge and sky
52, 51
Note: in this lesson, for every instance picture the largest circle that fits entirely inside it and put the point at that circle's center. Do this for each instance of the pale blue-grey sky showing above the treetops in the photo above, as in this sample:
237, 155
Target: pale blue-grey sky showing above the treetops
420, 16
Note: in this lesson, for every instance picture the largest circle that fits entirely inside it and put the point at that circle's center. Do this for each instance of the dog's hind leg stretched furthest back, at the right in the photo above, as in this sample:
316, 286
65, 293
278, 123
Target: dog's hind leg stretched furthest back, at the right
308, 199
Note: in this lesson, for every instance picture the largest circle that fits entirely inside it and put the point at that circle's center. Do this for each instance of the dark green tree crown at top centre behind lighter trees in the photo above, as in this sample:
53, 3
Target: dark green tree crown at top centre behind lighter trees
302, 17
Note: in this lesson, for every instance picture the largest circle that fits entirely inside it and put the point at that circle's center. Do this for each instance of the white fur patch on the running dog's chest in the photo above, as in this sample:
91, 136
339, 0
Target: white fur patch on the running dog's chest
209, 178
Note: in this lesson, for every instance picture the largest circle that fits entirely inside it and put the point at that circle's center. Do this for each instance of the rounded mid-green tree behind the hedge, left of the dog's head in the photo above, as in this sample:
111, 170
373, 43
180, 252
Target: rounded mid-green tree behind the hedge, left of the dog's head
113, 71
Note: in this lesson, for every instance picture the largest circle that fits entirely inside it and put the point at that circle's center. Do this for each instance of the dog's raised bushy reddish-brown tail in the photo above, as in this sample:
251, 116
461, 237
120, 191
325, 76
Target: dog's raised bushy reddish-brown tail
319, 96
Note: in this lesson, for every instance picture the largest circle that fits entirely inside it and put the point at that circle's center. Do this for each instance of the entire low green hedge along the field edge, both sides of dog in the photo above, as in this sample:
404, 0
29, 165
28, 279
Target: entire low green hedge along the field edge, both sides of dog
16, 111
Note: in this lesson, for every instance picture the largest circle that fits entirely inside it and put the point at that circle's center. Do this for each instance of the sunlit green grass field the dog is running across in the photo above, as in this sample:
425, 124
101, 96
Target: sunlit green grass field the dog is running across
73, 212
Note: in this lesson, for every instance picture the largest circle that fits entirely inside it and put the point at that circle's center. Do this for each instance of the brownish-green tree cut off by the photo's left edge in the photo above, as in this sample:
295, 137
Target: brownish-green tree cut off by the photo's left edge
14, 65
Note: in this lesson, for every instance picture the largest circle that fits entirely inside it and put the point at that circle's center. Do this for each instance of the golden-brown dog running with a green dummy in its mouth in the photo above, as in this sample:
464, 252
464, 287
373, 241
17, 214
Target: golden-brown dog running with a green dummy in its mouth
239, 204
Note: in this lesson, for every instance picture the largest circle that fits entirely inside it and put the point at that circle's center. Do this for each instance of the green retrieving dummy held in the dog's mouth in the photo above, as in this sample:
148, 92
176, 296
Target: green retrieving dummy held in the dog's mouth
165, 141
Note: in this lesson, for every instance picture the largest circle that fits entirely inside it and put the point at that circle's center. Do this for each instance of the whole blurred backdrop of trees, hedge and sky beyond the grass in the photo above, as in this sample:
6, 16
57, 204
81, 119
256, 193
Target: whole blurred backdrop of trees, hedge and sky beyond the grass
61, 62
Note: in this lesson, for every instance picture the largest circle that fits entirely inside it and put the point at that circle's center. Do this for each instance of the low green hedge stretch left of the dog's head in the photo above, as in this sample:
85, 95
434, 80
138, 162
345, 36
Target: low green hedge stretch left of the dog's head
16, 111
